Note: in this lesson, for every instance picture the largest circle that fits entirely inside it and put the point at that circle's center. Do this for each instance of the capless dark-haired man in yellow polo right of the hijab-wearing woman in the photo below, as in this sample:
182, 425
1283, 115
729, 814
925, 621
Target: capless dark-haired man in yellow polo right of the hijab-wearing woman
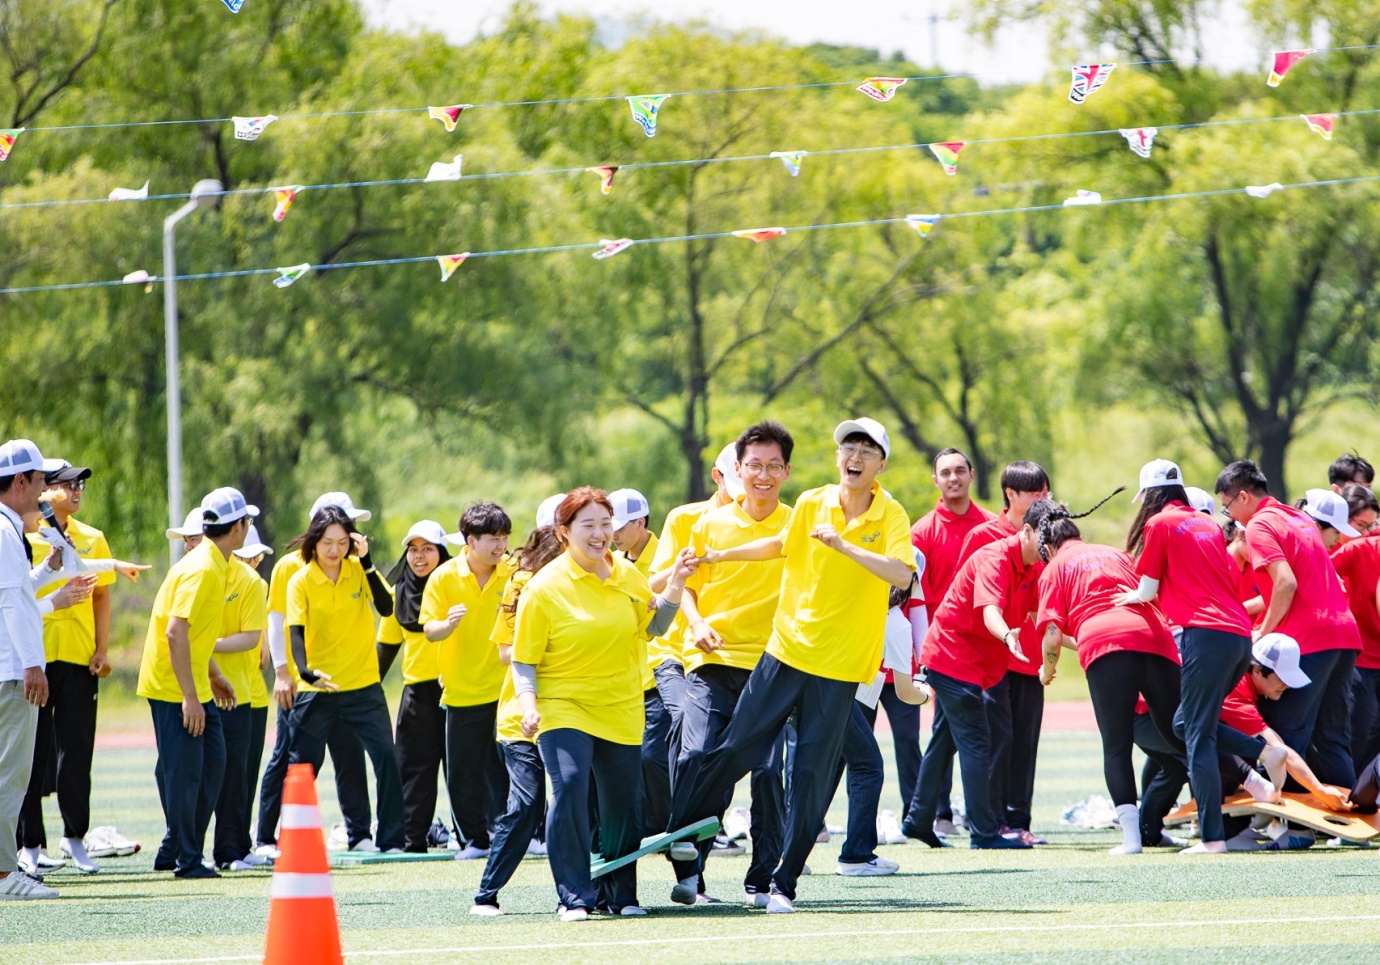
460, 608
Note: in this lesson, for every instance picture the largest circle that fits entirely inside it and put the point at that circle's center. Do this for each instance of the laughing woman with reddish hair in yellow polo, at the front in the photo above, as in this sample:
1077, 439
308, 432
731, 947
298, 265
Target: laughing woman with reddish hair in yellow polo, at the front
580, 648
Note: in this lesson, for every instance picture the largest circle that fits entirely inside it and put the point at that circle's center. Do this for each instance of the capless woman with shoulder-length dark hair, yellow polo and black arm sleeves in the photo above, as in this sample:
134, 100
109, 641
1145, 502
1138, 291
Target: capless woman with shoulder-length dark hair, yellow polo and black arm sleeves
332, 633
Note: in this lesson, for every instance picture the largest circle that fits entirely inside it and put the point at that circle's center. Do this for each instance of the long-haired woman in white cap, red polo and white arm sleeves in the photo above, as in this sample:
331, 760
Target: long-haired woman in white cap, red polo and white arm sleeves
1182, 560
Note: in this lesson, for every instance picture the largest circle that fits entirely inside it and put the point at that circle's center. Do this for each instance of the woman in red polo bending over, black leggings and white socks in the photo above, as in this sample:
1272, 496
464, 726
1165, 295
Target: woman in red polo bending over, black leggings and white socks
1127, 652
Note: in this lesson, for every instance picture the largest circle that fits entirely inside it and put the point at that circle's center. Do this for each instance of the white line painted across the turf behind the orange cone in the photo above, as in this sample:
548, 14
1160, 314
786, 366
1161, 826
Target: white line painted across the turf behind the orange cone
769, 937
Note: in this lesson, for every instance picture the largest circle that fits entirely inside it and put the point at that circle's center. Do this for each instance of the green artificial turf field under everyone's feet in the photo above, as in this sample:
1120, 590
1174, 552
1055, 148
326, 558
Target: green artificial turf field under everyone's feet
1065, 902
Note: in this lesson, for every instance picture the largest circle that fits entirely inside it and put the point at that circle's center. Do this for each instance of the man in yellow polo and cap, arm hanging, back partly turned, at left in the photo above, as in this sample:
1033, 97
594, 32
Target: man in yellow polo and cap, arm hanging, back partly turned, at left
183, 684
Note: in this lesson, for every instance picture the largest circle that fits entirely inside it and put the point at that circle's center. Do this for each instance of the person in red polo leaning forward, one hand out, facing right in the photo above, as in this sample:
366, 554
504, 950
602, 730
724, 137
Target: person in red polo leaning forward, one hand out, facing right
965, 652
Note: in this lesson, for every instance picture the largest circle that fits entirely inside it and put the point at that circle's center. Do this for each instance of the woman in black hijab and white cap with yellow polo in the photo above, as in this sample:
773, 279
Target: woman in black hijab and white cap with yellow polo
422, 724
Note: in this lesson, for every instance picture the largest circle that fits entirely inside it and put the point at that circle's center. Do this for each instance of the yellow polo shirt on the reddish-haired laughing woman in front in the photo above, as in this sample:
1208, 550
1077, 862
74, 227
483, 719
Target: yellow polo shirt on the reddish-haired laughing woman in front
587, 637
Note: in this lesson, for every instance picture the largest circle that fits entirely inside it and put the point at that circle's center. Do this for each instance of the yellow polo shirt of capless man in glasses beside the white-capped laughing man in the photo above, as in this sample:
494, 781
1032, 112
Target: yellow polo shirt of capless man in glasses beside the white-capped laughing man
738, 600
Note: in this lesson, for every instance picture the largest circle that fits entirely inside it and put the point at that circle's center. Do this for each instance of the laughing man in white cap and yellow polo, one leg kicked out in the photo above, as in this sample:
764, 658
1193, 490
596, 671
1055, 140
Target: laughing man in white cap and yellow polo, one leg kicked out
845, 547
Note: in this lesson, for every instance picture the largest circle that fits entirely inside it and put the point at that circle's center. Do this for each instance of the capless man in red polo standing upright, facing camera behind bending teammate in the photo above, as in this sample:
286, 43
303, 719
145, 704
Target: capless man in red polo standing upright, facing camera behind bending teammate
939, 535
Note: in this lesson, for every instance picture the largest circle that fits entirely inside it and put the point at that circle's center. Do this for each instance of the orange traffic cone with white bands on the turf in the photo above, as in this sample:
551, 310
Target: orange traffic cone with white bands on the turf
302, 916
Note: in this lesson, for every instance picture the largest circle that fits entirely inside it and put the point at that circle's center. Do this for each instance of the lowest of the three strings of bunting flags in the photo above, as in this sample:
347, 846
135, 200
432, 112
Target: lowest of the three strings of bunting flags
923, 224
